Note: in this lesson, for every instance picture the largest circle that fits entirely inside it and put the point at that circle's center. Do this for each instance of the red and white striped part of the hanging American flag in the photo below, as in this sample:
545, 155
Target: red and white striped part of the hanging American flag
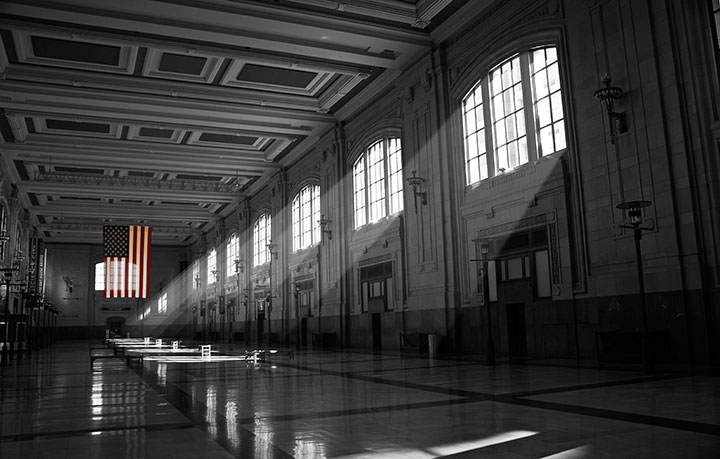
127, 277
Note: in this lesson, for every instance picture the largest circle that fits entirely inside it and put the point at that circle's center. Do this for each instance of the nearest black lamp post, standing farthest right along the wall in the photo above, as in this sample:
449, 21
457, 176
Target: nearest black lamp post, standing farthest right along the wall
634, 214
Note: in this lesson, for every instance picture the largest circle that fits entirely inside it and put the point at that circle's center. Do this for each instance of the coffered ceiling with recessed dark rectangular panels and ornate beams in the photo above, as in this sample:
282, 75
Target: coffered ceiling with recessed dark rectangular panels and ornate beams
167, 112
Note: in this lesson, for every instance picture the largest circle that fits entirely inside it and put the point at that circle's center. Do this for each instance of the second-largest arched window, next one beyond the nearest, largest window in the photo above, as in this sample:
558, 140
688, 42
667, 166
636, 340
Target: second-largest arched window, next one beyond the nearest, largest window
377, 182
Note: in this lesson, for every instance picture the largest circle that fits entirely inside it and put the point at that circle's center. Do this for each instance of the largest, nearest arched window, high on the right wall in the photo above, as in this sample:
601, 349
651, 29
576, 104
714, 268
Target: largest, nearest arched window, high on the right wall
514, 115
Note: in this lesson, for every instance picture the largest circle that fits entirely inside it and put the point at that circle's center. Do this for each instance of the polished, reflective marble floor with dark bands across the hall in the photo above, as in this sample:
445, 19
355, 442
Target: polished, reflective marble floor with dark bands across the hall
349, 404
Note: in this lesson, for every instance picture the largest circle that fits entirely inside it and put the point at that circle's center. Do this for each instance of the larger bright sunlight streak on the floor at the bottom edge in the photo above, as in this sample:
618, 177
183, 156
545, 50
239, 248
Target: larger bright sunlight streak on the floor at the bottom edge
445, 450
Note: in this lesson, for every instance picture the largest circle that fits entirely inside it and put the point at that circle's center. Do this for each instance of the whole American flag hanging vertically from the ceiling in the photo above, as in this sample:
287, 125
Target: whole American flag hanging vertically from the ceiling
127, 261
